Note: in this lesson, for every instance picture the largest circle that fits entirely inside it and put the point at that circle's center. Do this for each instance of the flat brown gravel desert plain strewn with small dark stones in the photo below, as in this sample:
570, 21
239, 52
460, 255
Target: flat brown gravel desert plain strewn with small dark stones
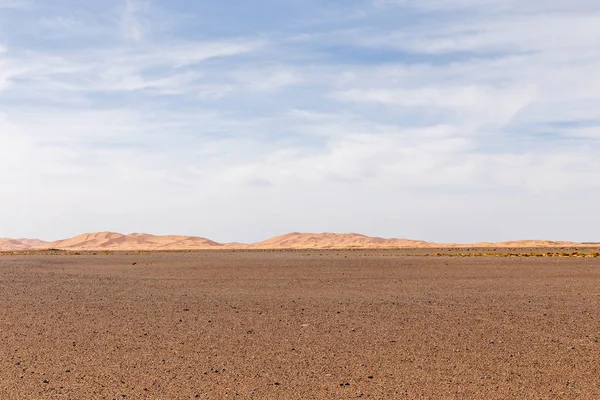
298, 325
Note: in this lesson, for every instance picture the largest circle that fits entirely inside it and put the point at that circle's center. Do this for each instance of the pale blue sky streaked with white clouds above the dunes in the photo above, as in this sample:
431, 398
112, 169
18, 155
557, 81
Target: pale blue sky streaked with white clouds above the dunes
439, 120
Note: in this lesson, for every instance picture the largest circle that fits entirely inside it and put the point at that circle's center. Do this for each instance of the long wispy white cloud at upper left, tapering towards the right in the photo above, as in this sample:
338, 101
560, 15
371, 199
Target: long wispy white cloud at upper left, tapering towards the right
166, 69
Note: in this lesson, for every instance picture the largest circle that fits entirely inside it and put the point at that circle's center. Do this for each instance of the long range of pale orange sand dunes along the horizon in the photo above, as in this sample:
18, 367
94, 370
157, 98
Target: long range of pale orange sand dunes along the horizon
296, 240
